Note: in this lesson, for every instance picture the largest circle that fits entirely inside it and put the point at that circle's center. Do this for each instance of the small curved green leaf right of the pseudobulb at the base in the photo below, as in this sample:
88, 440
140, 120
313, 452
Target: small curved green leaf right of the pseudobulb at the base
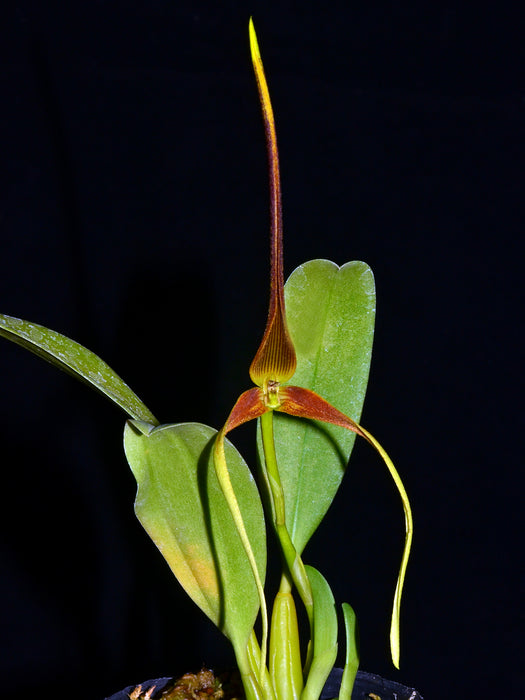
325, 635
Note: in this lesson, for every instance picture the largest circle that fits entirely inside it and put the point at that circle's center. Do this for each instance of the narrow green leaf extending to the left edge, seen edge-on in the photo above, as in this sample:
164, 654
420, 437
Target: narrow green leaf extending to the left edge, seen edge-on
76, 360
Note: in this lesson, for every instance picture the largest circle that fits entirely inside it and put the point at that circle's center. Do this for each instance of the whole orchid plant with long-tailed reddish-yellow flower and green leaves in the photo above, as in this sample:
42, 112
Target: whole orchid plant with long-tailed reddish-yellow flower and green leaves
196, 496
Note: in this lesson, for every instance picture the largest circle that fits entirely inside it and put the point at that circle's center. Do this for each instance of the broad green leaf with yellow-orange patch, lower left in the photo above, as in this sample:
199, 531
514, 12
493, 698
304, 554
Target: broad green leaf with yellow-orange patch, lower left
182, 507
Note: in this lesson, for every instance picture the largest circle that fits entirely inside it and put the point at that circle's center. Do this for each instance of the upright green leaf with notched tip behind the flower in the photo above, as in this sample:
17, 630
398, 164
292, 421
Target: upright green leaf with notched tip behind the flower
330, 312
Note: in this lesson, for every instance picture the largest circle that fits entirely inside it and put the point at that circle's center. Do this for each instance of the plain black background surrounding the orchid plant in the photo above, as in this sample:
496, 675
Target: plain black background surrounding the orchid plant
134, 218
